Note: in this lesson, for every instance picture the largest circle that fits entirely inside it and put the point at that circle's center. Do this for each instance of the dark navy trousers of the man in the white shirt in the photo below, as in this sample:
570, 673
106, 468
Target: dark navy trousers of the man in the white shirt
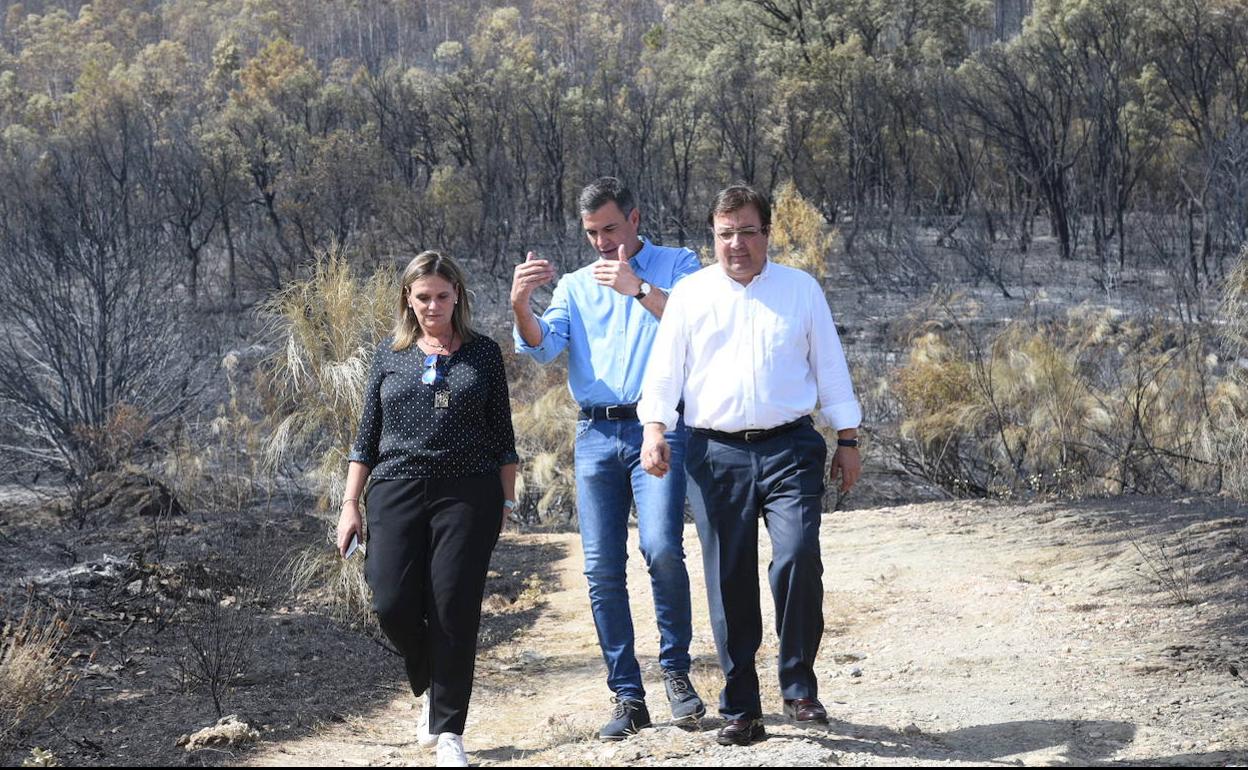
732, 485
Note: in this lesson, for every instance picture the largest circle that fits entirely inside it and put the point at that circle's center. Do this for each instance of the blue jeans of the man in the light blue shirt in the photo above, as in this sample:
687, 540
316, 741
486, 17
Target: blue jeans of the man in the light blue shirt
610, 480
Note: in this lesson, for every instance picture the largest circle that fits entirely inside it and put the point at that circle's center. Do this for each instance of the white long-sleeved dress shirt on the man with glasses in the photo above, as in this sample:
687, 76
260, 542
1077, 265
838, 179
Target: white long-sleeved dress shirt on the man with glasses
748, 358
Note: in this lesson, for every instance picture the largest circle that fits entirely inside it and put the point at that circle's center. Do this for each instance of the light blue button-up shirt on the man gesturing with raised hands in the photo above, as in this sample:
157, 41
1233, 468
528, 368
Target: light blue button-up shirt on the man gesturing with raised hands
607, 334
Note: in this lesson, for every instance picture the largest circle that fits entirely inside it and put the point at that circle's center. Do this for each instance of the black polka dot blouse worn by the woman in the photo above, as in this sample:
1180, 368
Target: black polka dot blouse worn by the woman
459, 426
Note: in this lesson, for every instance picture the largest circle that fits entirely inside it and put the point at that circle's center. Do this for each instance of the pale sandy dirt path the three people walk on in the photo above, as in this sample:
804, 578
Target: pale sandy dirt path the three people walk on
958, 633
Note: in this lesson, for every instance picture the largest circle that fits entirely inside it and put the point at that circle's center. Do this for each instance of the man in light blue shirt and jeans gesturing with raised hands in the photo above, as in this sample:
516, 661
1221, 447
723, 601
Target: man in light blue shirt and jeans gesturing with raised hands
607, 315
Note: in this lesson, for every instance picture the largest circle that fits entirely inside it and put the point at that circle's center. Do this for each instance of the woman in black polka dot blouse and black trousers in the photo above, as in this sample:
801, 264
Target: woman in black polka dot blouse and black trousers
437, 445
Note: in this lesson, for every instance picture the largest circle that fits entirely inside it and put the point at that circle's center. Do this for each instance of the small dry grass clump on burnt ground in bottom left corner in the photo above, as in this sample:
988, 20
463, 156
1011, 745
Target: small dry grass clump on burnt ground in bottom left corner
36, 675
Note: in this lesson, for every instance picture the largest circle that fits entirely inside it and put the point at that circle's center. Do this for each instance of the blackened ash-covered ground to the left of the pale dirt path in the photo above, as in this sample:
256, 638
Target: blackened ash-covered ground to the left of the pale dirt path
145, 596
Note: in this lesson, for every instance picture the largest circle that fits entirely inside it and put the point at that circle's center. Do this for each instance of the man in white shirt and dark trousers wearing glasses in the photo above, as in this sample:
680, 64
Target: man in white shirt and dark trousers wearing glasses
751, 346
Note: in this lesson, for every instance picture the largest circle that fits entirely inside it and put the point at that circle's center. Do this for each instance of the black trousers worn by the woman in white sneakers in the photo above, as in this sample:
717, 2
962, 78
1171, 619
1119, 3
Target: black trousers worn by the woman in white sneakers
429, 552
